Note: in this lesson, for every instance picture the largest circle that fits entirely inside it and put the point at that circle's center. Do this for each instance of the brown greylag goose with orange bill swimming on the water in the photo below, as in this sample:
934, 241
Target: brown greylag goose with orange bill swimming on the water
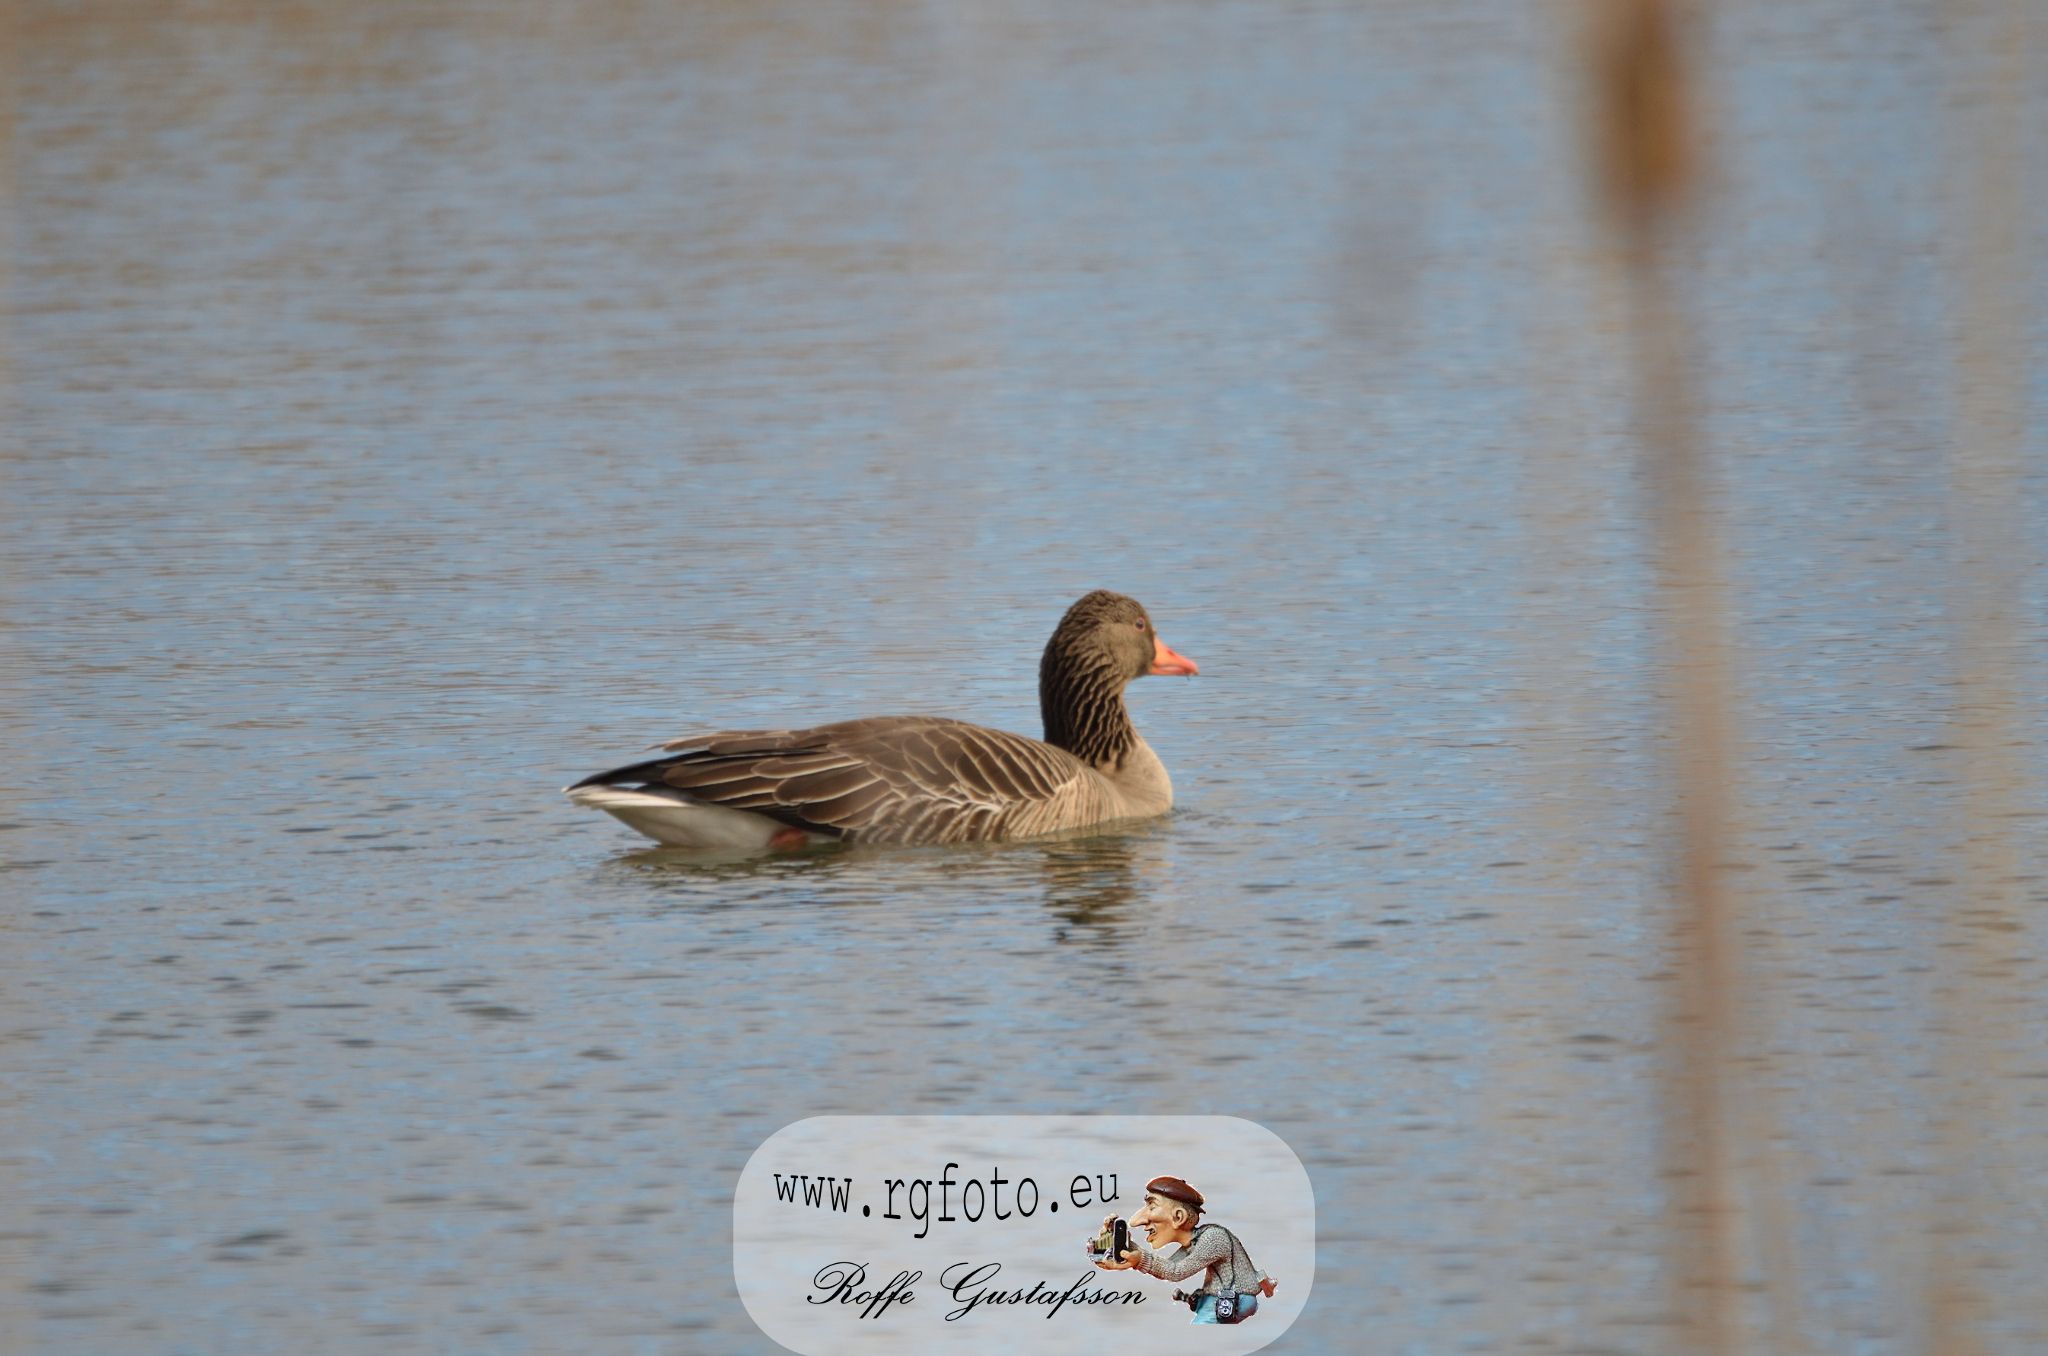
921, 779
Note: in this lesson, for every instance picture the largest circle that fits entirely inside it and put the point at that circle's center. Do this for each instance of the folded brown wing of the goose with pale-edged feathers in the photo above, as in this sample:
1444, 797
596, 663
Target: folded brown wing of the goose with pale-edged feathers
900, 779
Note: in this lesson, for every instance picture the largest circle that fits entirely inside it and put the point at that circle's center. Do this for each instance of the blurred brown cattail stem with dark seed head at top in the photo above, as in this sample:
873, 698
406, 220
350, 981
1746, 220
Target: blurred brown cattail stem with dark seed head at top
1646, 144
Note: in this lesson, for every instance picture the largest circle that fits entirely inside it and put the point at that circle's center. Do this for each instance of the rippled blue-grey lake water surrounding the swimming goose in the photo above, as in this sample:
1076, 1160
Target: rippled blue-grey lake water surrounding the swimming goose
415, 409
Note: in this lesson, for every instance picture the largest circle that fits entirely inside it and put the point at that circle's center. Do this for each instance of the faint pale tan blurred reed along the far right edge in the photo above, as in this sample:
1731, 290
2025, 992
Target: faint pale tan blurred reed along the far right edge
1981, 966
